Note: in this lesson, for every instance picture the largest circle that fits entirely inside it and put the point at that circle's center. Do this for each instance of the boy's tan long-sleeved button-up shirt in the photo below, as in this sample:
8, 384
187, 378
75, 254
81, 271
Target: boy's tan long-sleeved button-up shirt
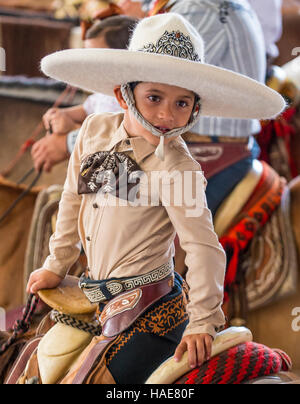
122, 241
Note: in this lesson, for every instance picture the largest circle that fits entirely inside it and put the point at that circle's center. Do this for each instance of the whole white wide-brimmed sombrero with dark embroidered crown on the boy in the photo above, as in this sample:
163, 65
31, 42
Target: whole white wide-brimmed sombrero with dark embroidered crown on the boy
166, 49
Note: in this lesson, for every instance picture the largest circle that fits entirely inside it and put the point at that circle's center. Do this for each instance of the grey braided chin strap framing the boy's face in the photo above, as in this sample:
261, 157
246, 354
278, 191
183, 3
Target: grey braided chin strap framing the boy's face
159, 152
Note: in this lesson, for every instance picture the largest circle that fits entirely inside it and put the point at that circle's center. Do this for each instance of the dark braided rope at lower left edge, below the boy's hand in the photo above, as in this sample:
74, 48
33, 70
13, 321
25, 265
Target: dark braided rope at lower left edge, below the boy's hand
21, 326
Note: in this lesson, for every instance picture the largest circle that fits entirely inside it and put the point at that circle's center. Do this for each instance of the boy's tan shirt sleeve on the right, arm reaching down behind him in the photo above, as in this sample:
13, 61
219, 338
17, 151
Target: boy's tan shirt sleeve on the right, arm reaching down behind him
205, 257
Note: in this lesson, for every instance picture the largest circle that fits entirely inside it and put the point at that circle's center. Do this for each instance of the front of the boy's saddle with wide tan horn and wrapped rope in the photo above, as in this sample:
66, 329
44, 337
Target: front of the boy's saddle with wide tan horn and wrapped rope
77, 338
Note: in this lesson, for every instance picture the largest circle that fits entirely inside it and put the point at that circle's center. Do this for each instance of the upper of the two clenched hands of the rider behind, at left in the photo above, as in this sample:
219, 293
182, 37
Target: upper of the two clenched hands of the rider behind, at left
56, 120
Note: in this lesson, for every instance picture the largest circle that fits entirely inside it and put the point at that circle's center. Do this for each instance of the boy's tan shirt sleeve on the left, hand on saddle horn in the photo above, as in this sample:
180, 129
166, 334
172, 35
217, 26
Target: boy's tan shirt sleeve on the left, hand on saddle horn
64, 243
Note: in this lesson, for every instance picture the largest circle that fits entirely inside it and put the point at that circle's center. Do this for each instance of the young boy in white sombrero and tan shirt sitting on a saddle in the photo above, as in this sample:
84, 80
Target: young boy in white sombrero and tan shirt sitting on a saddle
162, 83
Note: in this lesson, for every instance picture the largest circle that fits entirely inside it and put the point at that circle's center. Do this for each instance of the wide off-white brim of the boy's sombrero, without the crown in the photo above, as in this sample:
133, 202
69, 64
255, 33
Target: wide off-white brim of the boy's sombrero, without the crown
223, 92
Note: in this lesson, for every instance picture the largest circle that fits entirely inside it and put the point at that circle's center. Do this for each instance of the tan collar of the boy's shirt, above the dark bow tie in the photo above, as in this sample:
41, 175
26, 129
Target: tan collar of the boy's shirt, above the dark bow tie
140, 147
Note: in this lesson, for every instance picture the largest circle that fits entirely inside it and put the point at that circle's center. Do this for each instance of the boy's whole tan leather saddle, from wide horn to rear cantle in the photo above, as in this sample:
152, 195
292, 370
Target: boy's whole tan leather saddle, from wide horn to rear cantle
65, 355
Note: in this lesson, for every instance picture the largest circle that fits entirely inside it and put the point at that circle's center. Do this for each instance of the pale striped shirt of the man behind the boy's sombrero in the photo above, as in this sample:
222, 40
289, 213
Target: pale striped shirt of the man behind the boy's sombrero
233, 40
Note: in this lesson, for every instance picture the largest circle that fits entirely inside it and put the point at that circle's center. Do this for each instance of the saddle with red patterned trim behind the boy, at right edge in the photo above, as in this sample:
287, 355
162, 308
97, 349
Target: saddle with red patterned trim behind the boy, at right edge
267, 265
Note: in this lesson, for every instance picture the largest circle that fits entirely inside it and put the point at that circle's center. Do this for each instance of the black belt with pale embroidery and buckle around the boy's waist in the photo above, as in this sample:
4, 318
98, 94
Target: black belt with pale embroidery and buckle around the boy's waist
102, 291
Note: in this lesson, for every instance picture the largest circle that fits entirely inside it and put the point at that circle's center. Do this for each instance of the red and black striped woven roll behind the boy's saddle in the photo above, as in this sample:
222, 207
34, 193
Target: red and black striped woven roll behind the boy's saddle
239, 364
